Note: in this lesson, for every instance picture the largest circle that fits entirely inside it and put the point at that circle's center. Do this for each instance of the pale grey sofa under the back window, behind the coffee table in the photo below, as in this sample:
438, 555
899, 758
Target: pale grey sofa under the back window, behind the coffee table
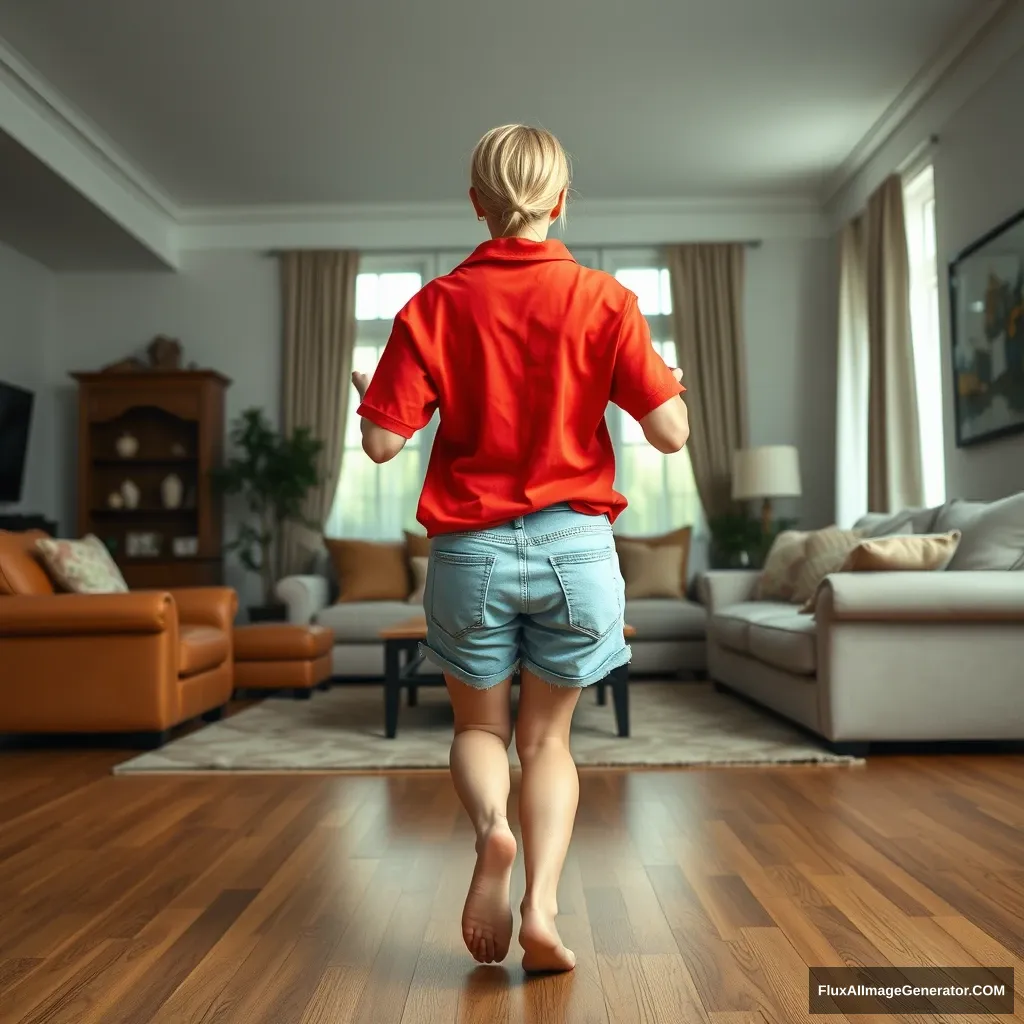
670, 636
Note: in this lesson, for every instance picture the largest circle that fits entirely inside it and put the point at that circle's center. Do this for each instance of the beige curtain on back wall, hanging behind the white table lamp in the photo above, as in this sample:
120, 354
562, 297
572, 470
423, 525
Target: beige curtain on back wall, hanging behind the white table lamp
708, 309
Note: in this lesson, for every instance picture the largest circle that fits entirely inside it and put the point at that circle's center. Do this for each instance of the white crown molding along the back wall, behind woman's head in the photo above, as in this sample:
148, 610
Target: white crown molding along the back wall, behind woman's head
433, 226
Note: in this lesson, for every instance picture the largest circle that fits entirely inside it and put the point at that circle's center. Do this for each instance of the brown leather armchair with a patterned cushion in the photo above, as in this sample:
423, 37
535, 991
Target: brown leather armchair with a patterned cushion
139, 663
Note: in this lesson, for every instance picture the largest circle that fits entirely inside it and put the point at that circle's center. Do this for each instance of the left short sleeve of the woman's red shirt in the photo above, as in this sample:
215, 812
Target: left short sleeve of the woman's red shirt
402, 397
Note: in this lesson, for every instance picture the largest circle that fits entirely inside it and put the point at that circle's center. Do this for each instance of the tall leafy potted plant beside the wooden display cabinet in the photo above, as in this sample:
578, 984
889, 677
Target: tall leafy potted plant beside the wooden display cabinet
273, 474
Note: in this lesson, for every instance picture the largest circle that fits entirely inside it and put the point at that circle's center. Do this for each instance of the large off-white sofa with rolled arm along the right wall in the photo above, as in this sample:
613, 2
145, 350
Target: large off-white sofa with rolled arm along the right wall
889, 657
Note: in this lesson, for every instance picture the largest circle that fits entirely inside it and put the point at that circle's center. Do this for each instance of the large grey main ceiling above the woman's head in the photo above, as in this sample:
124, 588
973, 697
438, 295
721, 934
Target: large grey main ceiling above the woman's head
244, 103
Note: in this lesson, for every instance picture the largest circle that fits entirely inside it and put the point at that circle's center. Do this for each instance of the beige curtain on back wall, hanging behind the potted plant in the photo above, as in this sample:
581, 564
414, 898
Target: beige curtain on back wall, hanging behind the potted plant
319, 301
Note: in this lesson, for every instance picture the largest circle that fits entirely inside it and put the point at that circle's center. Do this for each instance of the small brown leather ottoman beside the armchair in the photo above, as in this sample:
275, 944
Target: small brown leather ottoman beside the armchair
282, 657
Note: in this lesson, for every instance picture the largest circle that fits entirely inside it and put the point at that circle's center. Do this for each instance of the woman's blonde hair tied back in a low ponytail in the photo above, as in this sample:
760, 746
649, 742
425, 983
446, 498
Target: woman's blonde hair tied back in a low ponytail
519, 174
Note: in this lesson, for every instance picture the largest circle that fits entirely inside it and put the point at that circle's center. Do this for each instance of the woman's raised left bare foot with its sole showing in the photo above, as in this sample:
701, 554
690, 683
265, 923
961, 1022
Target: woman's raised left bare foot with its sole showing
487, 919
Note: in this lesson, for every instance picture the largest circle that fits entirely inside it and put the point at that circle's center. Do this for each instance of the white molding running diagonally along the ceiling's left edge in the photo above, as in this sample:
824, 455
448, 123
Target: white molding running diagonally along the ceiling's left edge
41, 120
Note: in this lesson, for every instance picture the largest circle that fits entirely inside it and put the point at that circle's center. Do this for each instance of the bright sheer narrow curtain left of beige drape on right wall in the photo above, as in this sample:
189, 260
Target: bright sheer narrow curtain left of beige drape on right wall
852, 379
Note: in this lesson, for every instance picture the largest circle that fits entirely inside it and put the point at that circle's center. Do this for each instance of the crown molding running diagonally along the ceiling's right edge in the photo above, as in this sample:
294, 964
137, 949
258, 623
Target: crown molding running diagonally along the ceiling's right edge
968, 36
